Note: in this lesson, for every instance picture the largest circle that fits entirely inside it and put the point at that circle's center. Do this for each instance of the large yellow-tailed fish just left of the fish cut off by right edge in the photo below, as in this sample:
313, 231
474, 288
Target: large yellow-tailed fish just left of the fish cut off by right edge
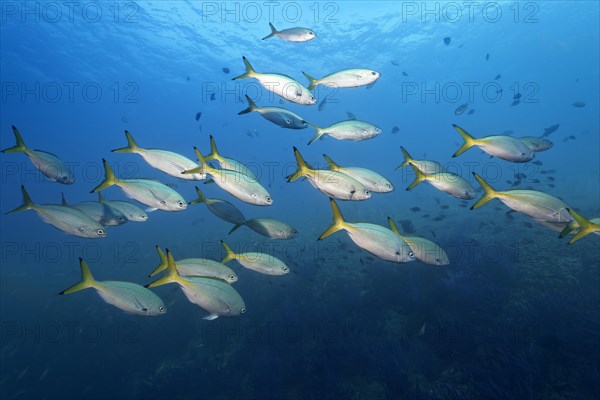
537, 205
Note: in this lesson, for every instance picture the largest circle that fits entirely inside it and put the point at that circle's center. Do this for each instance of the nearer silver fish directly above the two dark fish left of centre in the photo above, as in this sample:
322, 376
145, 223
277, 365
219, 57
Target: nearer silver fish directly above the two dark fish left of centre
239, 185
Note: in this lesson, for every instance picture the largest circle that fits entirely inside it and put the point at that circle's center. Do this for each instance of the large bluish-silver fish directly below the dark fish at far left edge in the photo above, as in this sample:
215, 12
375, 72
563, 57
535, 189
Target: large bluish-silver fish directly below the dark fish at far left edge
64, 218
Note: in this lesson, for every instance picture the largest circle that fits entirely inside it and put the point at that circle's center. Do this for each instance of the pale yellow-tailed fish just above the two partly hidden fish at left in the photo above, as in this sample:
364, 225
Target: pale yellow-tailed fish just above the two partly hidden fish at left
154, 194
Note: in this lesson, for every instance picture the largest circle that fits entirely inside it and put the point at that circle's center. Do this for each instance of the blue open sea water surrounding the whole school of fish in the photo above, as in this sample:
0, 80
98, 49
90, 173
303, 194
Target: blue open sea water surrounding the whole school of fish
515, 315
